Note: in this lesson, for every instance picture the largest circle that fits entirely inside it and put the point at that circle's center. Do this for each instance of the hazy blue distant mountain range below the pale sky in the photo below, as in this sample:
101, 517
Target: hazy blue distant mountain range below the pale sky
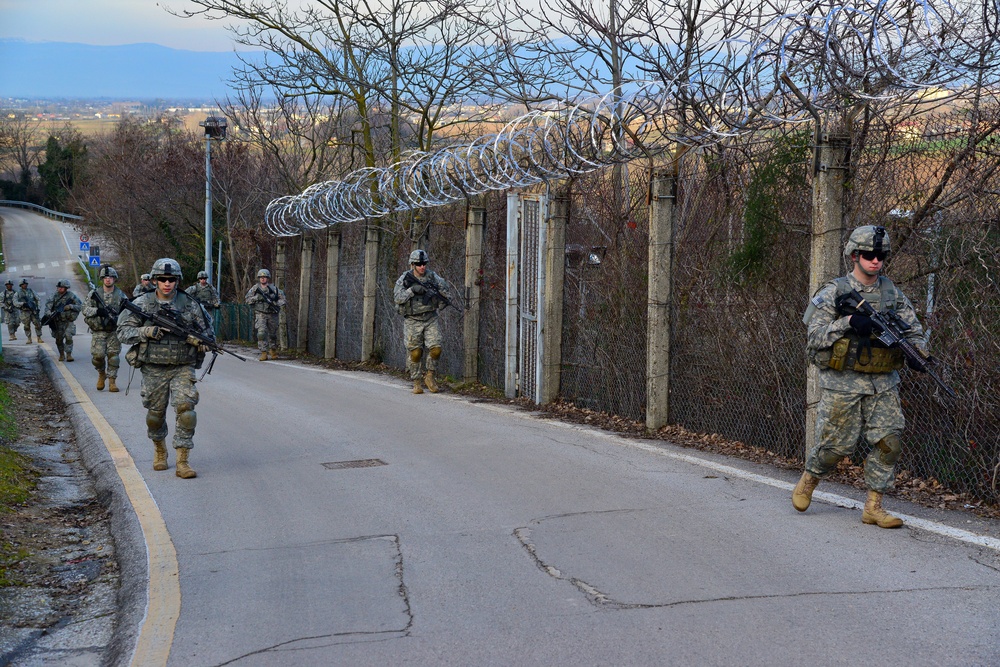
133, 71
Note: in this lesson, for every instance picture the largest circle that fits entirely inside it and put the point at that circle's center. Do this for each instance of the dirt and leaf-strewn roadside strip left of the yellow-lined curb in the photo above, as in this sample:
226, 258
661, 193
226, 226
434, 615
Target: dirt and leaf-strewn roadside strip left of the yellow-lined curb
61, 608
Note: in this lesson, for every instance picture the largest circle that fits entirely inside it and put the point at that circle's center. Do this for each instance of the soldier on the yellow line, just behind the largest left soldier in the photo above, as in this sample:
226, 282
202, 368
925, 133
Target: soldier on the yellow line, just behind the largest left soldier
104, 304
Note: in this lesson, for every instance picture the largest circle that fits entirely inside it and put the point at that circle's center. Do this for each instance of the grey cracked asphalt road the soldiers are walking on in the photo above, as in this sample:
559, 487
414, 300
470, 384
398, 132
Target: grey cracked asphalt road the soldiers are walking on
480, 535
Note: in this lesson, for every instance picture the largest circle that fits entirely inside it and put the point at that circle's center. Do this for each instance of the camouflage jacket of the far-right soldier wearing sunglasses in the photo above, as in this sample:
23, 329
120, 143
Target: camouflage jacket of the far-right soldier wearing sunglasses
827, 326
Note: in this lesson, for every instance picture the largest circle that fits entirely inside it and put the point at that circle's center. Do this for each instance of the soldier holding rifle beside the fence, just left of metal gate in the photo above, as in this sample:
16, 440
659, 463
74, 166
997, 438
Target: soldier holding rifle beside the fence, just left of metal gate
419, 294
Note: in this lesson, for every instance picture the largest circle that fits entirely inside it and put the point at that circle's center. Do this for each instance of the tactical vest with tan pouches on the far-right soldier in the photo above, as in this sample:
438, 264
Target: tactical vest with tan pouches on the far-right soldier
863, 355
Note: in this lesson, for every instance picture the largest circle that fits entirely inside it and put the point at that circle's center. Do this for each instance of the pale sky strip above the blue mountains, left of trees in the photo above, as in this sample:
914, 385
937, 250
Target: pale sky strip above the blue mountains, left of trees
110, 22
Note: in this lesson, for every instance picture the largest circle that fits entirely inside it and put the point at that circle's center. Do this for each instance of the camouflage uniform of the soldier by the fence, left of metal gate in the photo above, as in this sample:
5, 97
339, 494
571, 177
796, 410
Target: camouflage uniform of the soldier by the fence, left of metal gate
421, 326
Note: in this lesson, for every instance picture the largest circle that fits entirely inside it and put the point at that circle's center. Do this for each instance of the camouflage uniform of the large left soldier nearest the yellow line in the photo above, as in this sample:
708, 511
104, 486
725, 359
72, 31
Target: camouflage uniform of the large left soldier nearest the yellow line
167, 366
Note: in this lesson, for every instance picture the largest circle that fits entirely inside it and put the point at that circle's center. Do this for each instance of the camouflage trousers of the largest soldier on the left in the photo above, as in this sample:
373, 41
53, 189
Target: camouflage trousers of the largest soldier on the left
175, 384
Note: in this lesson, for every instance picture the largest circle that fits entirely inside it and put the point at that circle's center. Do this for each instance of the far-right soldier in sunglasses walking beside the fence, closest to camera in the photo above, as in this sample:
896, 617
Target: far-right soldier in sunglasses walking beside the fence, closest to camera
858, 375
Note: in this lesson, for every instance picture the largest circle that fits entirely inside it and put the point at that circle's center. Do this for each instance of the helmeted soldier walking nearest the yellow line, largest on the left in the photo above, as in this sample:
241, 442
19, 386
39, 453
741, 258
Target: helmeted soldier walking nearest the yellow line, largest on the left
167, 361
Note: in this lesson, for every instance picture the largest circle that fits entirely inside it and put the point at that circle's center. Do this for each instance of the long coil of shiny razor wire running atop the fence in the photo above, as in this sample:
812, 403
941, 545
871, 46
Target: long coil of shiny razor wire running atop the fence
824, 58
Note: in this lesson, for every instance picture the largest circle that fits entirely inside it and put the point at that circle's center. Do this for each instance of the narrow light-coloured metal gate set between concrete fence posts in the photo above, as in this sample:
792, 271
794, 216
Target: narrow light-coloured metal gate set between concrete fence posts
526, 233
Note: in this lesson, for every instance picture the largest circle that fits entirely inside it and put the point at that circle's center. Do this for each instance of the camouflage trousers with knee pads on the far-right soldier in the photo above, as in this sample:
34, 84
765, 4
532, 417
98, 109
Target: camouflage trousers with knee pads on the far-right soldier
842, 418
